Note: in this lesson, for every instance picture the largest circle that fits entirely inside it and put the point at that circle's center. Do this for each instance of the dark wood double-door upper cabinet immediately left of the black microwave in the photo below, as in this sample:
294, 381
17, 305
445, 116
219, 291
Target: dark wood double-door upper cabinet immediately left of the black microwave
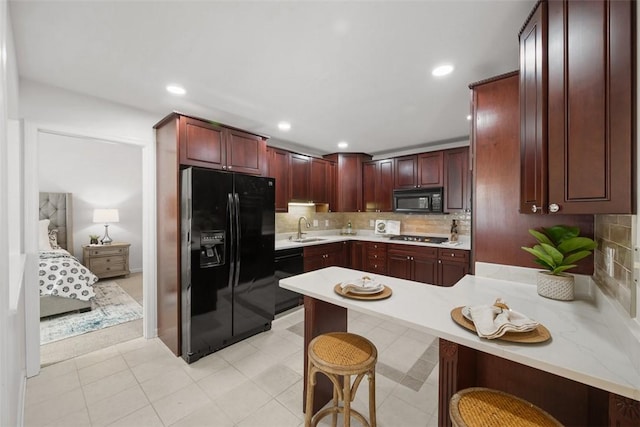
377, 185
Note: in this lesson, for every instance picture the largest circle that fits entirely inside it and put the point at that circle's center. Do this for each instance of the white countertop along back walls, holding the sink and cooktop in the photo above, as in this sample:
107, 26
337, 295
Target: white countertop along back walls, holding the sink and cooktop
283, 242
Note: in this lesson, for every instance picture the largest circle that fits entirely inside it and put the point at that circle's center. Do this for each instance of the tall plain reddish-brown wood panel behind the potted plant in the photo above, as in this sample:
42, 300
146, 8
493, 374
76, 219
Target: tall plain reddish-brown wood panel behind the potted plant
498, 230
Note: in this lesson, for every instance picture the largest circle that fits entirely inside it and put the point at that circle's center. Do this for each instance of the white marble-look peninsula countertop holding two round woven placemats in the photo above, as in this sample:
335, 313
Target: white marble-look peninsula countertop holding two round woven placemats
586, 341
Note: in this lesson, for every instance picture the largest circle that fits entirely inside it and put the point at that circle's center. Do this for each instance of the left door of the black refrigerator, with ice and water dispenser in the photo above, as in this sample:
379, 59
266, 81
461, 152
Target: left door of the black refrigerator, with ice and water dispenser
208, 301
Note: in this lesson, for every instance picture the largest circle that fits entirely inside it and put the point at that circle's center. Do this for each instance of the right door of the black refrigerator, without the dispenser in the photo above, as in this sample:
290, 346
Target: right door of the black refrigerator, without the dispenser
254, 292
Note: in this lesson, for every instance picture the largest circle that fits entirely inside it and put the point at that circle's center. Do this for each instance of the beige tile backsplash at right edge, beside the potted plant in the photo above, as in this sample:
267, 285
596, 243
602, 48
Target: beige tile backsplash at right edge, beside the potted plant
614, 258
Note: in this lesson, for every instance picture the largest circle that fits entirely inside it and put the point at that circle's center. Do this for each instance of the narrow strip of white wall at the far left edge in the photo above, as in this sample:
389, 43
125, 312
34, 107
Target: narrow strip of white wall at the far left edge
12, 305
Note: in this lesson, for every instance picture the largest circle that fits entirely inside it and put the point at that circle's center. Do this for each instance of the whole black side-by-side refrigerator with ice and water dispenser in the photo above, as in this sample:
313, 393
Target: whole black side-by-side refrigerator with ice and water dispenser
227, 272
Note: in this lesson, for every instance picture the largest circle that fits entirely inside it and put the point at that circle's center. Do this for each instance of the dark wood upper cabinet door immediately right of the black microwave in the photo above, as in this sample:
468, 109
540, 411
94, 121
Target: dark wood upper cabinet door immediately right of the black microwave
457, 183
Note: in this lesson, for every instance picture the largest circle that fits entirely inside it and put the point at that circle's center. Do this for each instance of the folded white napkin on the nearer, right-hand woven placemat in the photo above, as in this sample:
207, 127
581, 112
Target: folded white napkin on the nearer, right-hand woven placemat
493, 322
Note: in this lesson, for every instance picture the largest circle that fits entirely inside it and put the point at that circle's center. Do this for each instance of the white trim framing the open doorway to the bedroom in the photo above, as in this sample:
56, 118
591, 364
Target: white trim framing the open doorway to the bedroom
32, 302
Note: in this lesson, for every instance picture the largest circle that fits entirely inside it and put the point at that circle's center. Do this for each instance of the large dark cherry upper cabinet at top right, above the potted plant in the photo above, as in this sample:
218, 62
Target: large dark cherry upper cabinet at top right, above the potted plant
577, 69
